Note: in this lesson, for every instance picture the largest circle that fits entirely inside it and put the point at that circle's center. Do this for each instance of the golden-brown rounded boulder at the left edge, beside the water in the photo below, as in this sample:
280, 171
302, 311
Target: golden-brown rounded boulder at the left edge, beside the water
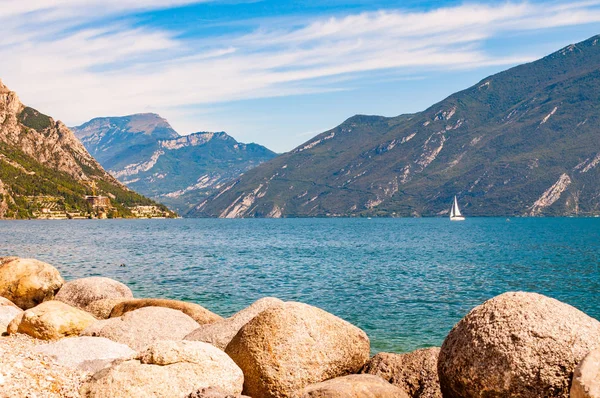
28, 282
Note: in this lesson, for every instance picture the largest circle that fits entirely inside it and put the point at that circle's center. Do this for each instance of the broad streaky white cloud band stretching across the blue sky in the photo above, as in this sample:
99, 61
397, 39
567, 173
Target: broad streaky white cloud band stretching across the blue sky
76, 69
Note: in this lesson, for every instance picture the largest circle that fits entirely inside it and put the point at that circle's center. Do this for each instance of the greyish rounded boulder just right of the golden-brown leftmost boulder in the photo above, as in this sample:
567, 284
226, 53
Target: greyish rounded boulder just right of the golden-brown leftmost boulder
82, 292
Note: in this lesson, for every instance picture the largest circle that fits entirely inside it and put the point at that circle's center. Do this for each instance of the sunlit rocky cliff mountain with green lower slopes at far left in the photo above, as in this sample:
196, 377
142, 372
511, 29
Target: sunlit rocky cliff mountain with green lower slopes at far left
45, 172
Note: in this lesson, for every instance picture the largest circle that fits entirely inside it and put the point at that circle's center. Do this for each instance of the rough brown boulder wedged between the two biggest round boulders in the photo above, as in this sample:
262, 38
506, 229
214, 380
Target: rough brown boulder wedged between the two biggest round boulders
415, 372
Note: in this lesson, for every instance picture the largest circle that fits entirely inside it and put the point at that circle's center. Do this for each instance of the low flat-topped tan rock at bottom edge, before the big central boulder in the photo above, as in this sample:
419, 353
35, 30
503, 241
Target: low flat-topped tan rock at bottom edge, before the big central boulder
353, 386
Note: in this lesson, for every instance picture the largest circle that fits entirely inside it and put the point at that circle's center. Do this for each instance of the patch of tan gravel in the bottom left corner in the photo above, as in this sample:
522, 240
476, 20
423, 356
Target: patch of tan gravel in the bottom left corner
26, 374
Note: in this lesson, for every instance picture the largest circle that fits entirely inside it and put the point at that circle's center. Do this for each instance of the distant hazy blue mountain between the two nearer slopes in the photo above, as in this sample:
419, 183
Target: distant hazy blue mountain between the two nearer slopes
145, 153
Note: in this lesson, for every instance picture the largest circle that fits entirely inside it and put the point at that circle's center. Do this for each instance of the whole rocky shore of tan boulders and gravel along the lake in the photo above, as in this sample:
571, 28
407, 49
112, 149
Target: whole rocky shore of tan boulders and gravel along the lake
90, 337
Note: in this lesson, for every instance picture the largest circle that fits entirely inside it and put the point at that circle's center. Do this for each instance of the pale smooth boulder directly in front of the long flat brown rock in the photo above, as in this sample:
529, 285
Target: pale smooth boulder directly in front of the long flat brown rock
139, 328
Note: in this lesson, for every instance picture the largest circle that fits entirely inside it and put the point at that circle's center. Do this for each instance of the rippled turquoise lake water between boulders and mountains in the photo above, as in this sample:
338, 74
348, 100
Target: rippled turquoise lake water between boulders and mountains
404, 281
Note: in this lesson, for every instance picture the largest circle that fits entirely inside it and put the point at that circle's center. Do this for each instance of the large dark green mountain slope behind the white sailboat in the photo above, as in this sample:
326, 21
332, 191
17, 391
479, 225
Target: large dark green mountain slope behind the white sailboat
522, 142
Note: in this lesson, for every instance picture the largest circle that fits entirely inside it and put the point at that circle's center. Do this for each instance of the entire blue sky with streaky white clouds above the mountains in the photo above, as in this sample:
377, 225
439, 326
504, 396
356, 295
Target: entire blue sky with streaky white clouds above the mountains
274, 72
